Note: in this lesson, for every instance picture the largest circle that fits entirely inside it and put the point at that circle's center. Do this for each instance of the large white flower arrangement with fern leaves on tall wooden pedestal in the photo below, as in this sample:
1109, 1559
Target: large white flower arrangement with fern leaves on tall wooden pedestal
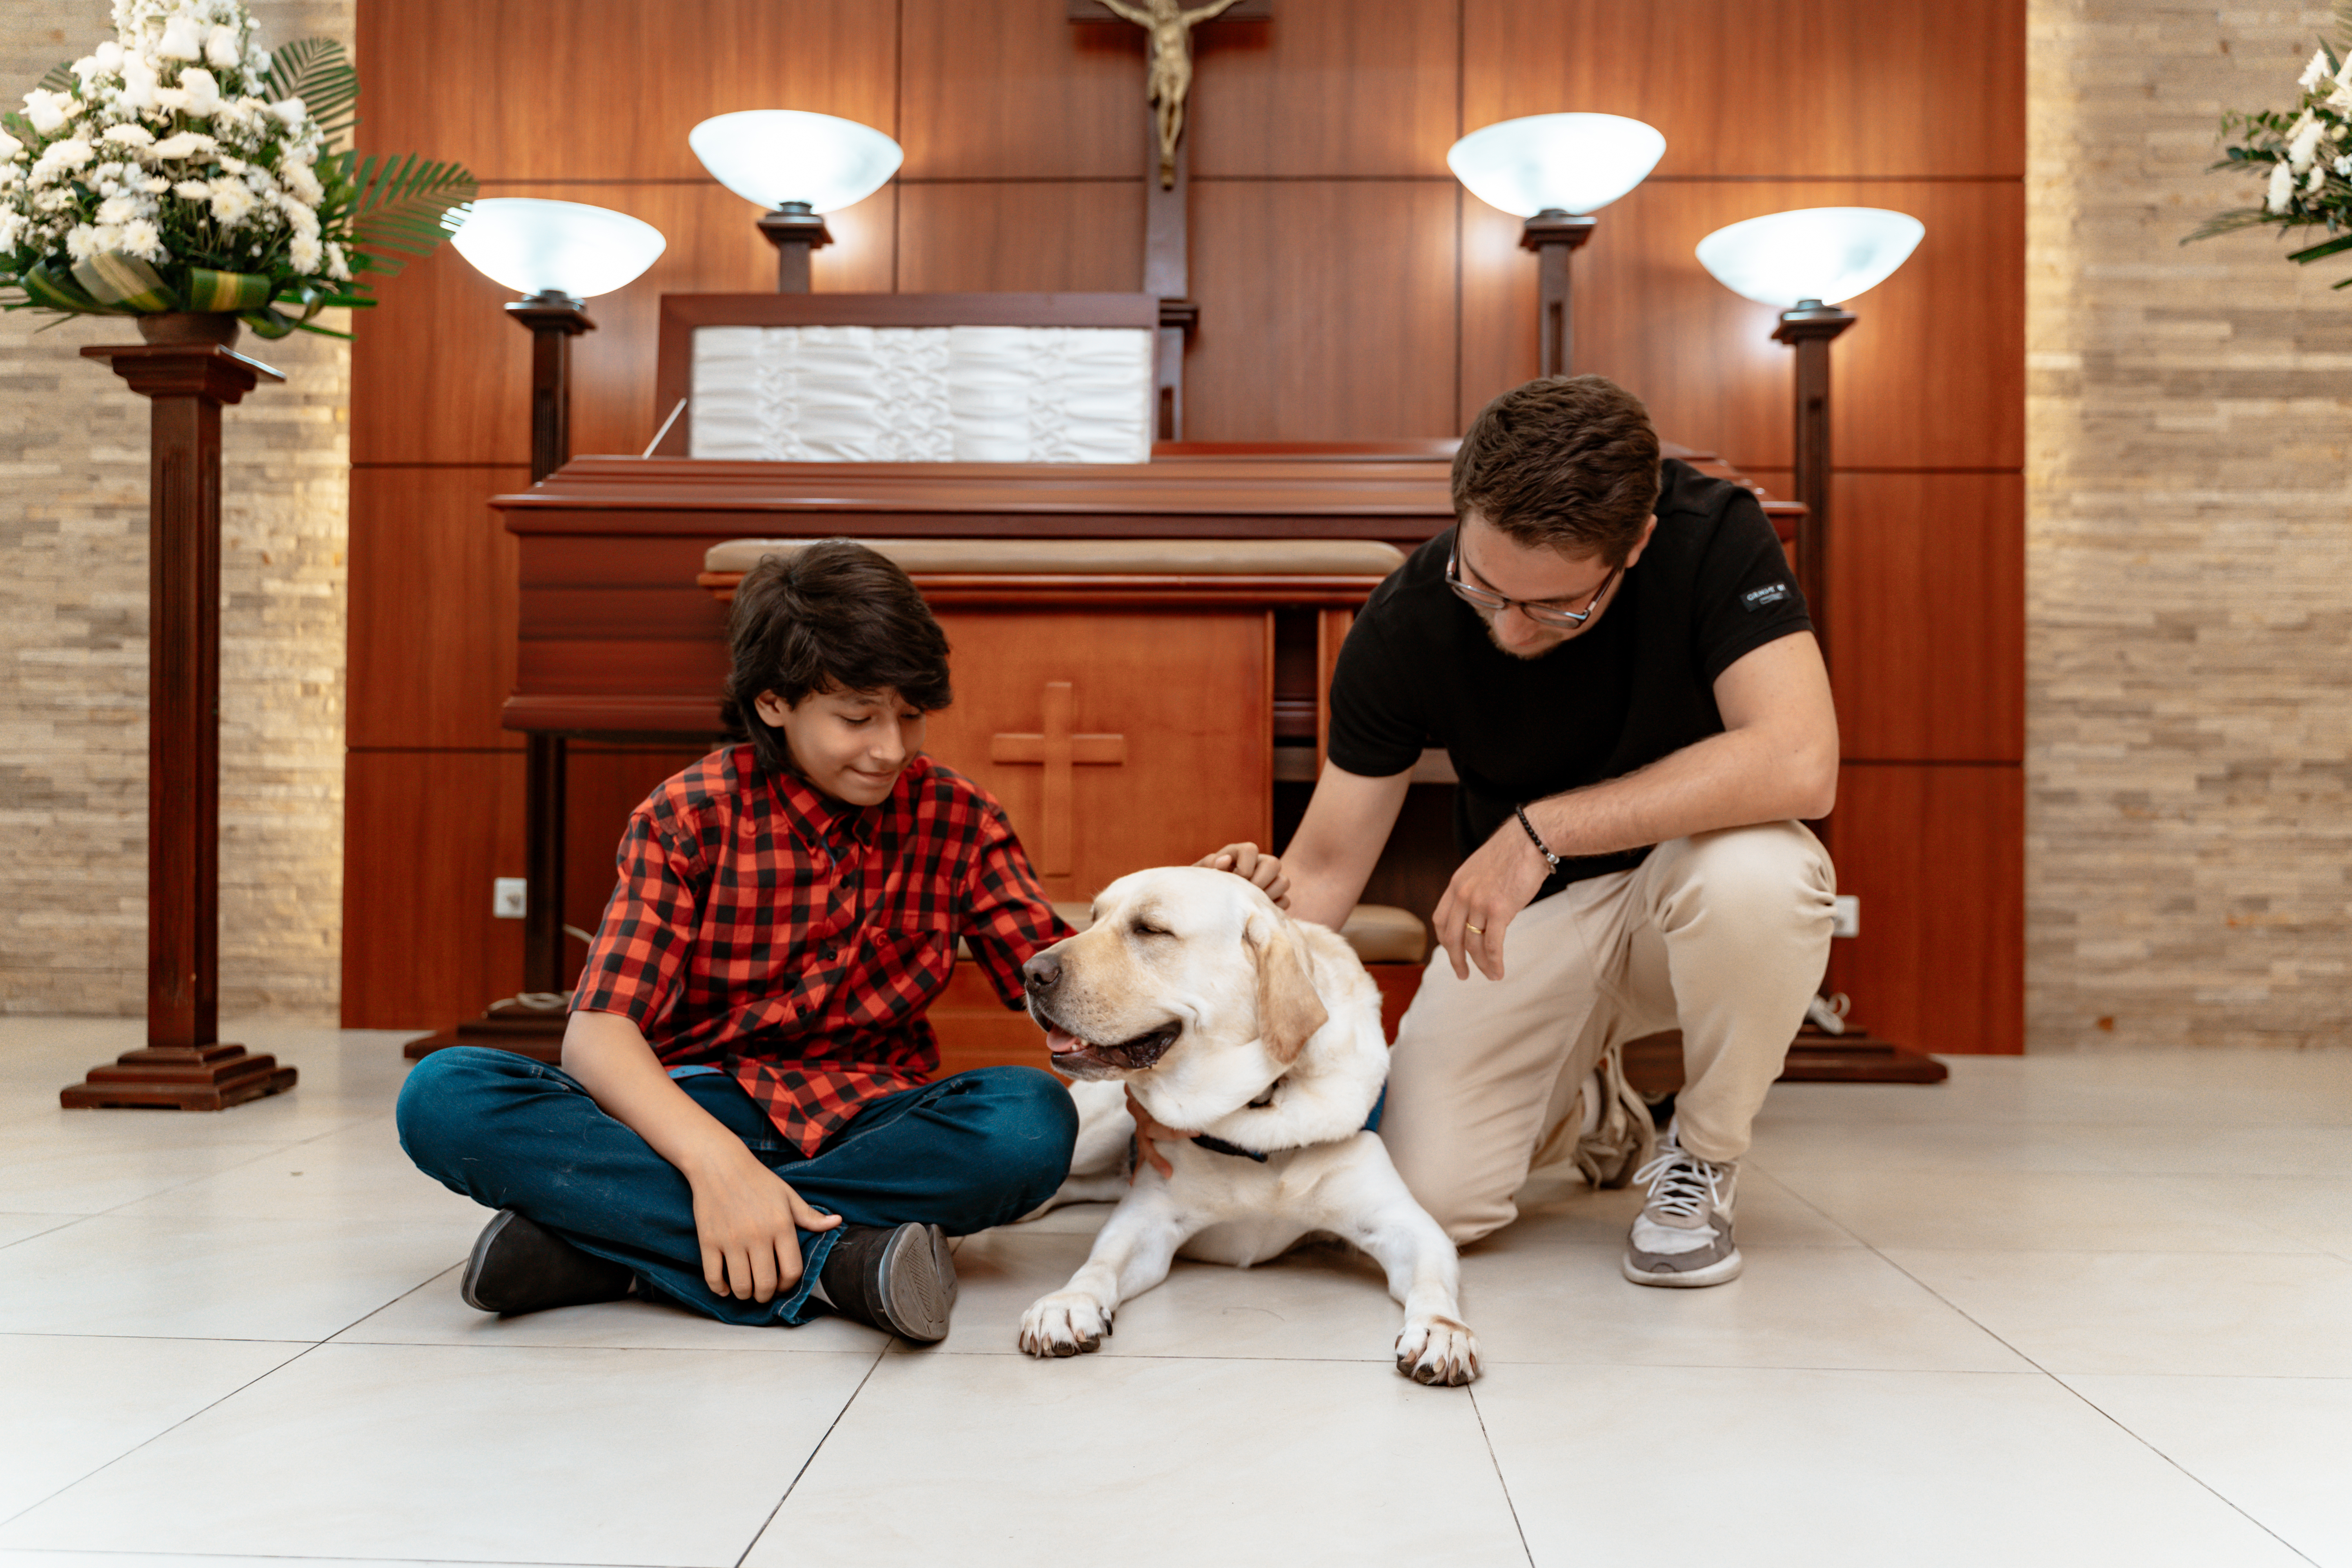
185, 168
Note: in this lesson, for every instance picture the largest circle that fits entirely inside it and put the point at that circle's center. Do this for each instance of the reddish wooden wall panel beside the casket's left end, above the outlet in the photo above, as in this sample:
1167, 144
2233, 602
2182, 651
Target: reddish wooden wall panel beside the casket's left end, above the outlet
434, 605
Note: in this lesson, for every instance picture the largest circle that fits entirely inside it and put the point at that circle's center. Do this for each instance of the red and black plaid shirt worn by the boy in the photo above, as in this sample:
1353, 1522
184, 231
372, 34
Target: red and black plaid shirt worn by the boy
794, 942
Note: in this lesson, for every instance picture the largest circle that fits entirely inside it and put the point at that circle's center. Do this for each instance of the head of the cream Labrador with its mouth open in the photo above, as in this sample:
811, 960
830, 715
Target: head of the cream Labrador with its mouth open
1189, 979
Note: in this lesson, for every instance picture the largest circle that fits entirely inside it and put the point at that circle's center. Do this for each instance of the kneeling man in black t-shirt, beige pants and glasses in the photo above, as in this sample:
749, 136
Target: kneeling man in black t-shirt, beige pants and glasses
1622, 669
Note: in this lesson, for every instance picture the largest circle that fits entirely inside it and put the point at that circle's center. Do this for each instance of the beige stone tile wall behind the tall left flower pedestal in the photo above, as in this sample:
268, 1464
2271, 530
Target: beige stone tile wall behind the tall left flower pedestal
74, 652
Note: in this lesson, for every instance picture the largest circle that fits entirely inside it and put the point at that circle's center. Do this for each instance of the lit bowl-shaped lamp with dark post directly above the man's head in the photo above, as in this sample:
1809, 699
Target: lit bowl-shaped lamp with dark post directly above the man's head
1556, 173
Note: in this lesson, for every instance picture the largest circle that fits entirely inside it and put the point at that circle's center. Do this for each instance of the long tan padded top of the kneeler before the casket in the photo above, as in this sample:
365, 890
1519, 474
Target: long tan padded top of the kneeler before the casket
1100, 556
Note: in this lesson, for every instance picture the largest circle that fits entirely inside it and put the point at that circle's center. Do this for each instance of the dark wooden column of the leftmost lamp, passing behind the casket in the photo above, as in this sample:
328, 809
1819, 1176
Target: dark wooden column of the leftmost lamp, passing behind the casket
554, 321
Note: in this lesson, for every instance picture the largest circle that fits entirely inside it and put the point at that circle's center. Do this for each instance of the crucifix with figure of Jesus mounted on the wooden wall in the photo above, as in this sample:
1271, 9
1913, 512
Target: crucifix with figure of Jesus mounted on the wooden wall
1168, 83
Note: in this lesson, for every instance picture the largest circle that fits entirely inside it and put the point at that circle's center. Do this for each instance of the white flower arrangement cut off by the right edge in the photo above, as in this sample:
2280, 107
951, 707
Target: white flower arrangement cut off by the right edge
2304, 154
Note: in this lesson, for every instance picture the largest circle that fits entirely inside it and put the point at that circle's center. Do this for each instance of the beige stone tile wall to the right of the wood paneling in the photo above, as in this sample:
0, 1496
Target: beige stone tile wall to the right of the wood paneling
2189, 591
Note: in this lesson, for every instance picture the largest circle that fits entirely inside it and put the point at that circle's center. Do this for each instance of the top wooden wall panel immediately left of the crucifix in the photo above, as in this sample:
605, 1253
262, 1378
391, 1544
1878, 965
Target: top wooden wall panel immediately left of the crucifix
1017, 91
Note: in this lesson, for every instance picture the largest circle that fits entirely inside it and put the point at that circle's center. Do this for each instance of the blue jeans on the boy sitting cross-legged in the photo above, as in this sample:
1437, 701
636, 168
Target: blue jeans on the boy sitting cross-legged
965, 1153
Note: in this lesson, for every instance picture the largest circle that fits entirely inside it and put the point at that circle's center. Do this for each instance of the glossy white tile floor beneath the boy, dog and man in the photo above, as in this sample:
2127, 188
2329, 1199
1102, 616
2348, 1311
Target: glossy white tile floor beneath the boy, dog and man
2071, 1311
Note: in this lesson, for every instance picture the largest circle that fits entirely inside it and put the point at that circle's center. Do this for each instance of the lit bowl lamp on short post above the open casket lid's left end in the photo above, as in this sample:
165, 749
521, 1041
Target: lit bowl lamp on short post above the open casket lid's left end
796, 168
